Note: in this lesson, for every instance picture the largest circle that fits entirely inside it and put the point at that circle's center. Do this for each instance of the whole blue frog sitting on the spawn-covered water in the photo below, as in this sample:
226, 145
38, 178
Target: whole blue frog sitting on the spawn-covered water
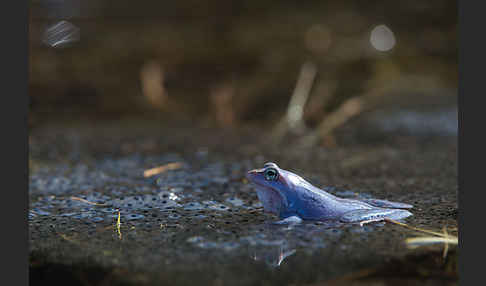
294, 199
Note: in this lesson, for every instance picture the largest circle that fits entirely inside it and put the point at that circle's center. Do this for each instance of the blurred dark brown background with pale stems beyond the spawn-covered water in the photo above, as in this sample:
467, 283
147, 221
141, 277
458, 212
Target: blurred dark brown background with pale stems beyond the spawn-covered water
299, 69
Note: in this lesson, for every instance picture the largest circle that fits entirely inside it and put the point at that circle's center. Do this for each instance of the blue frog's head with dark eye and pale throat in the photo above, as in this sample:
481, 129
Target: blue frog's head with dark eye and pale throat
274, 187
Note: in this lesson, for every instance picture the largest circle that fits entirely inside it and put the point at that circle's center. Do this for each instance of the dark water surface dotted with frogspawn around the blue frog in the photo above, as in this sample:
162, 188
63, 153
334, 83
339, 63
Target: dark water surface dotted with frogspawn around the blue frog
202, 223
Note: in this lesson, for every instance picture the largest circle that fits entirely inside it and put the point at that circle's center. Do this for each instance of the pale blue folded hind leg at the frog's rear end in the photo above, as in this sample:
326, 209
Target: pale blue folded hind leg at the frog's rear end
372, 215
